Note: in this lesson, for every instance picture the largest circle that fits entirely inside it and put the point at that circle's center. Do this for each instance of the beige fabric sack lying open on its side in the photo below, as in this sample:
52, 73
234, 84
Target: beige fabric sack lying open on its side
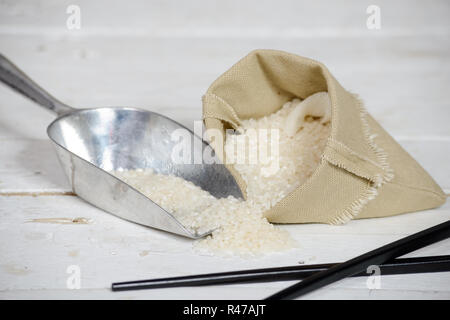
363, 173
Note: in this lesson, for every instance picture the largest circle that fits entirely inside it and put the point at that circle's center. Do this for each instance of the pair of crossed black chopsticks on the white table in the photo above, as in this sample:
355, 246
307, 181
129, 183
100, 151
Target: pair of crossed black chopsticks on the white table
320, 275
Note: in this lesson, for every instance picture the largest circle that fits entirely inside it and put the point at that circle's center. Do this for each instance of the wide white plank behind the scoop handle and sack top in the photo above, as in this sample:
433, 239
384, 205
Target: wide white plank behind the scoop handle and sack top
402, 80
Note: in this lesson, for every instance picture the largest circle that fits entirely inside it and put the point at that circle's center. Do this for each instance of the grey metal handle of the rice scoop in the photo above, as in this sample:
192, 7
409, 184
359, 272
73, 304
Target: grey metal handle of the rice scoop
15, 78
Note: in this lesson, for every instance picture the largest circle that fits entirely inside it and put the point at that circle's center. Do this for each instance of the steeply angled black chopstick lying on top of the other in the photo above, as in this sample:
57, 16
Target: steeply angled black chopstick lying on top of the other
362, 262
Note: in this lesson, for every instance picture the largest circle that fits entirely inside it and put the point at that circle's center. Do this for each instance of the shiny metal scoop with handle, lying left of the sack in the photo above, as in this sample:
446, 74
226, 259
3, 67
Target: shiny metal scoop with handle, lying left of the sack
91, 142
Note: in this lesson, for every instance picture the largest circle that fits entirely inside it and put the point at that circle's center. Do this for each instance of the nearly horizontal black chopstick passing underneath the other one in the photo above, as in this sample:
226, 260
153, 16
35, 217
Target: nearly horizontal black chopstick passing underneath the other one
397, 266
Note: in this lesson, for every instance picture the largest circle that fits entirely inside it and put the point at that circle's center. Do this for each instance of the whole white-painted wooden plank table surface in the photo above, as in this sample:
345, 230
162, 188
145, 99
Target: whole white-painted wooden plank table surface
162, 56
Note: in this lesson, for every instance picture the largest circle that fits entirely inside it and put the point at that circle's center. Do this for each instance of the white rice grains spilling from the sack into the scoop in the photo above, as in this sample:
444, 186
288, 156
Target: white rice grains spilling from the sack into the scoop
241, 228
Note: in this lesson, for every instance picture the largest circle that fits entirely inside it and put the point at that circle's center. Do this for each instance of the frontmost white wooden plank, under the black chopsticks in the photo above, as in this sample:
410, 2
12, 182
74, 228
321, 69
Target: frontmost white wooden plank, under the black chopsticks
109, 249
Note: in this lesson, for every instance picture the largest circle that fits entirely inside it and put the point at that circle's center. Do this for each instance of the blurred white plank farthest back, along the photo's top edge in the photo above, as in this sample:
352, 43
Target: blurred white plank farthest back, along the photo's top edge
252, 18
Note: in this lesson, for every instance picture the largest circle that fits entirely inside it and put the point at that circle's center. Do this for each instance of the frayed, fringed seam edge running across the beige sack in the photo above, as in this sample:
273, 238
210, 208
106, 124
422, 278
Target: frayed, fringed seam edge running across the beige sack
371, 192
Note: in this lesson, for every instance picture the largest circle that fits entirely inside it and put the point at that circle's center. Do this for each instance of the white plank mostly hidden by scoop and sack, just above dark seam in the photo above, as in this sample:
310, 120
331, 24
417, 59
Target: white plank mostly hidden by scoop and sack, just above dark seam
31, 166
